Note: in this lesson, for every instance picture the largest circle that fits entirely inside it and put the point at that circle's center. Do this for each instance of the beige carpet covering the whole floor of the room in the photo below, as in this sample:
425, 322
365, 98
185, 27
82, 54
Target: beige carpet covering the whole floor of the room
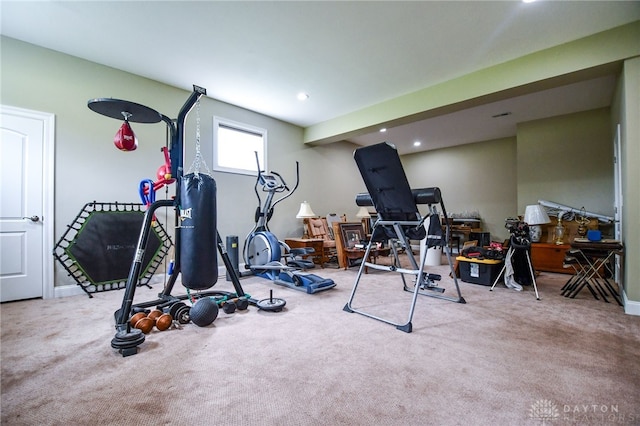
503, 358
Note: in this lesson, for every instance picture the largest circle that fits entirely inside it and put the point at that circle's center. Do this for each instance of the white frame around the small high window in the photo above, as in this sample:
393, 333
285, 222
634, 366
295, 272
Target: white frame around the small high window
219, 122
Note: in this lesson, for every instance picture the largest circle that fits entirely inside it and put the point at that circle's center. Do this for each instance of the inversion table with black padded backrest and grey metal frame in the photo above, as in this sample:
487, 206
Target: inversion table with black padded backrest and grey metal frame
398, 217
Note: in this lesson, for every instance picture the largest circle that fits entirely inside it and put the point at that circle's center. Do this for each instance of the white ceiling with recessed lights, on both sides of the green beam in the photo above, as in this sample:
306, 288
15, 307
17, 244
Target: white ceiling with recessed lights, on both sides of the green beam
346, 55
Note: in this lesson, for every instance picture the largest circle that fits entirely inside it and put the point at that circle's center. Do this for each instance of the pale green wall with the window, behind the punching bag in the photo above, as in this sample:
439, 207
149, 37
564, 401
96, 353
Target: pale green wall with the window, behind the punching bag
89, 168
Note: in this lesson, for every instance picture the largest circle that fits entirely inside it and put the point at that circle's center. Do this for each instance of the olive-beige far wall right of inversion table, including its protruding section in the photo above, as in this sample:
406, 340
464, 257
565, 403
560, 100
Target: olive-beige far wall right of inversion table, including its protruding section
566, 159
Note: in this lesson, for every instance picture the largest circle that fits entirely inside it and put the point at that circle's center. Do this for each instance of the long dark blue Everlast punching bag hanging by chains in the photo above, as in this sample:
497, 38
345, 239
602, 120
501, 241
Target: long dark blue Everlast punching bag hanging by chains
198, 235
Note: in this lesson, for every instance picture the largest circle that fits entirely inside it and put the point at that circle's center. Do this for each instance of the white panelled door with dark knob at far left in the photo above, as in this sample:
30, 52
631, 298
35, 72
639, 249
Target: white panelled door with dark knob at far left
26, 213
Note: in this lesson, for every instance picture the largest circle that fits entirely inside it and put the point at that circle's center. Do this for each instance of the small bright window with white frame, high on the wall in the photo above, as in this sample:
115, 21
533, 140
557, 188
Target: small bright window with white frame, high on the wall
235, 145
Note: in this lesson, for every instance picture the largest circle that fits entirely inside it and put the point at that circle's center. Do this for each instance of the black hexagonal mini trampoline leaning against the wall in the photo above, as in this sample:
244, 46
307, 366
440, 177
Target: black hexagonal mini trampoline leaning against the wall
97, 248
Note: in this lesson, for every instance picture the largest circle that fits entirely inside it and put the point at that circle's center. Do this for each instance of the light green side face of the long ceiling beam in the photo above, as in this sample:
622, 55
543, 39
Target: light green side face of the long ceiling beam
588, 57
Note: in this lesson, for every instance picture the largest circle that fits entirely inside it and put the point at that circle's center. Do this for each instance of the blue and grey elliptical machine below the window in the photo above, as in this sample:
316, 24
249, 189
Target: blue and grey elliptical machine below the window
262, 251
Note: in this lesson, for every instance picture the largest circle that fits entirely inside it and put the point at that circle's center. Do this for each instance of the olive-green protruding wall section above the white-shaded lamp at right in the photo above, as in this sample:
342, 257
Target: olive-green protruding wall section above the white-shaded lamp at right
567, 160
